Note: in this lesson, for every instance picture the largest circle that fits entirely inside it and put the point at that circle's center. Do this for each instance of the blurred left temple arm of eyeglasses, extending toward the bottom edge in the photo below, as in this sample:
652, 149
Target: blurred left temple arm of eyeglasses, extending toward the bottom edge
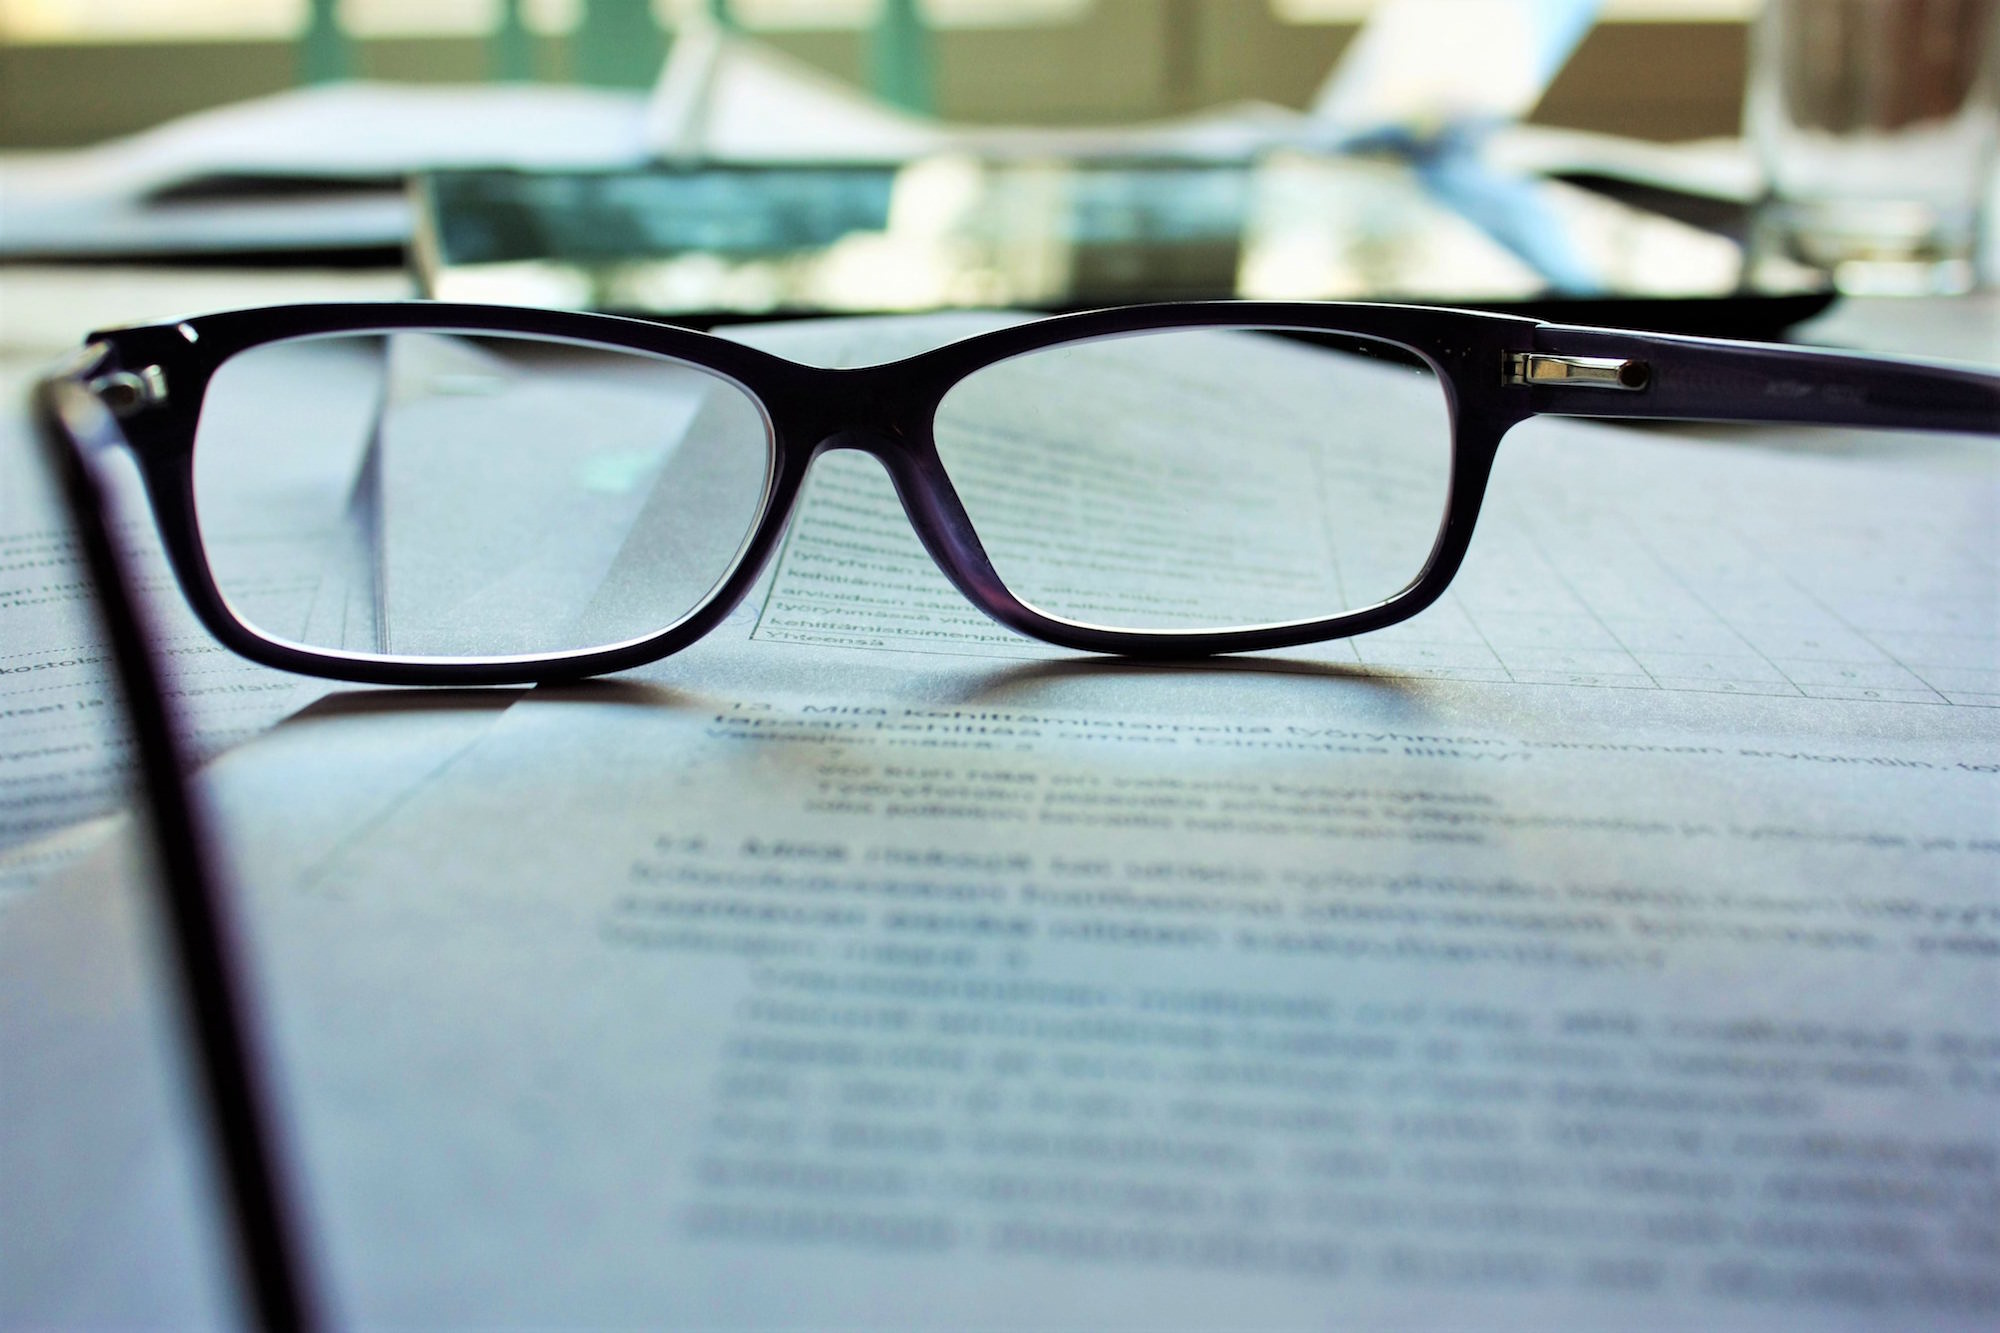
71, 427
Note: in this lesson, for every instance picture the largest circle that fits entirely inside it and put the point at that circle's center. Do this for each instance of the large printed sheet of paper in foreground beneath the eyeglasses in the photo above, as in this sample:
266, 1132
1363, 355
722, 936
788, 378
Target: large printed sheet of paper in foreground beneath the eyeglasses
1613, 946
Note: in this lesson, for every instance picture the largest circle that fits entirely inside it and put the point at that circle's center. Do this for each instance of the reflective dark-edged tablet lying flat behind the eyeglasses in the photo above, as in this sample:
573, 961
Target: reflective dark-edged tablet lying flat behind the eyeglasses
711, 245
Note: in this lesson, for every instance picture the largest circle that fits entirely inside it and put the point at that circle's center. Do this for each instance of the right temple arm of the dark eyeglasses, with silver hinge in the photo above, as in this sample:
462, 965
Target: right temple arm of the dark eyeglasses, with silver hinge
1701, 379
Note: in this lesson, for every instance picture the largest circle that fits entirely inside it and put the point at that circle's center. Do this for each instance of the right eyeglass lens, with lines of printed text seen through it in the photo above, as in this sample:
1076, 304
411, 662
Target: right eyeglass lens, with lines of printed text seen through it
1203, 479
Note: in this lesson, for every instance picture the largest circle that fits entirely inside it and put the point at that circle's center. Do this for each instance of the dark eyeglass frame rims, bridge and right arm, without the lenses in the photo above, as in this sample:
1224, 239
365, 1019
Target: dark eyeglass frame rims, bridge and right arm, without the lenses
1495, 371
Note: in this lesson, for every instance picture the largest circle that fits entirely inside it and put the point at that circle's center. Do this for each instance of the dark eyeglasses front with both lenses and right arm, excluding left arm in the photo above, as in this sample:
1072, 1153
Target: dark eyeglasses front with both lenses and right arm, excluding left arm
461, 495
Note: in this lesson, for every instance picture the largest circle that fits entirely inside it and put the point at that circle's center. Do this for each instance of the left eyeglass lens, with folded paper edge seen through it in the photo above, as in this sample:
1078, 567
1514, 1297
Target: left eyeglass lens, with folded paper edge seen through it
469, 495
